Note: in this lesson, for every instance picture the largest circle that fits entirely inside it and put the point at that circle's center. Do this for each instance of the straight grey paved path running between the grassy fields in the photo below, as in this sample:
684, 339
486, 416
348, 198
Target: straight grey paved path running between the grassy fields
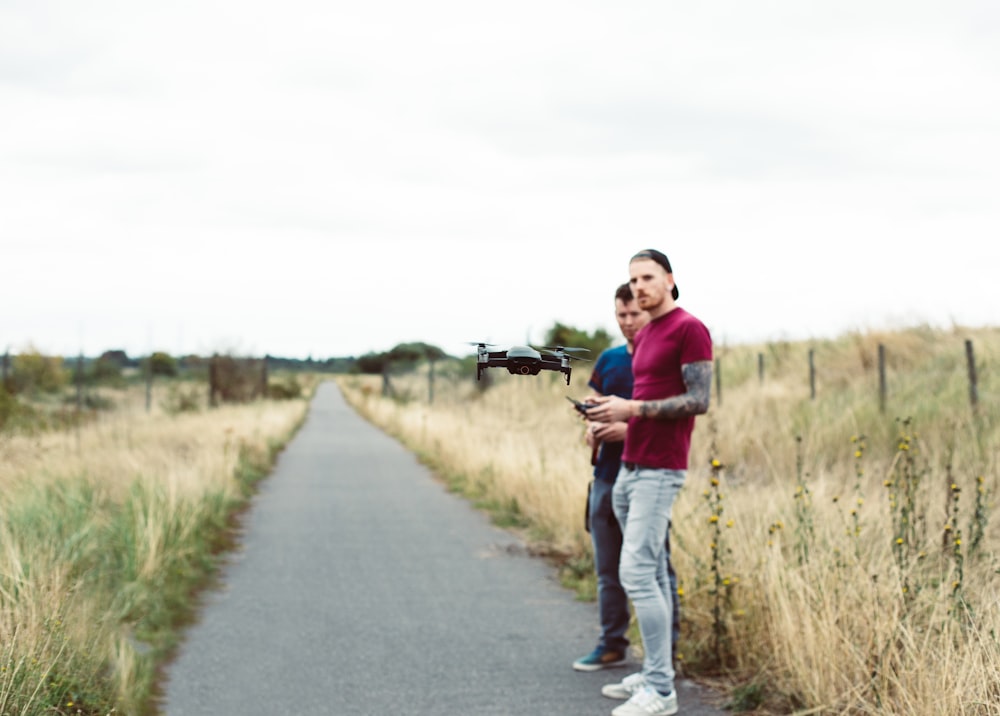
363, 587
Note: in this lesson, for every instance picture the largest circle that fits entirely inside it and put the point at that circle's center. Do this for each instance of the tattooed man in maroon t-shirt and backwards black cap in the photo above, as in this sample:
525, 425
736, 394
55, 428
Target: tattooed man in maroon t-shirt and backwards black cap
672, 369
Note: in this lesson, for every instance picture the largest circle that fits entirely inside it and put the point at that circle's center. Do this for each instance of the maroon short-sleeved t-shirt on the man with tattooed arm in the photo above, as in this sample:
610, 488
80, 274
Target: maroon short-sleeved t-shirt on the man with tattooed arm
661, 347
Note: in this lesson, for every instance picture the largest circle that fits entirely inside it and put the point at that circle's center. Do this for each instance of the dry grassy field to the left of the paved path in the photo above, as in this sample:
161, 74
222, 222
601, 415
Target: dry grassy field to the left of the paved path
107, 531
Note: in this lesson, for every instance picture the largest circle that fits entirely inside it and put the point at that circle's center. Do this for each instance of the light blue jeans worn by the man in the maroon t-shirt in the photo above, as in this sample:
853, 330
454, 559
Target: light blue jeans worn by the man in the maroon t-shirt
643, 498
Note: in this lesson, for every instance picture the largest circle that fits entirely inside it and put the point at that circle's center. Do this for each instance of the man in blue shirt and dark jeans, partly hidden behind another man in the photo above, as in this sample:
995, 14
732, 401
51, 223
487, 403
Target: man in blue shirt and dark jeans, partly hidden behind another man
612, 375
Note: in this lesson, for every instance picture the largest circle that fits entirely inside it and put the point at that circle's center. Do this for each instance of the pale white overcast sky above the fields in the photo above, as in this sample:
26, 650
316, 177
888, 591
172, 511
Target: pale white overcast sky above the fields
328, 178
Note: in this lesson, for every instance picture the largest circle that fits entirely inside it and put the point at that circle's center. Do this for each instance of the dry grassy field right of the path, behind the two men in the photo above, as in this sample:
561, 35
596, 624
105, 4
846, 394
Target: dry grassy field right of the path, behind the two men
833, 558
